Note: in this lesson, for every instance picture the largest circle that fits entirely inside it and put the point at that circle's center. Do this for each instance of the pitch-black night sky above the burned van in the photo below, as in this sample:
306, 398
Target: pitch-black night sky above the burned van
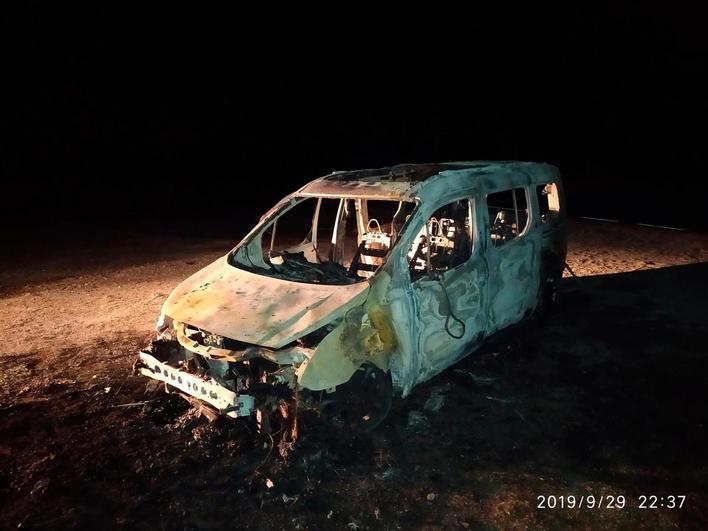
212, 120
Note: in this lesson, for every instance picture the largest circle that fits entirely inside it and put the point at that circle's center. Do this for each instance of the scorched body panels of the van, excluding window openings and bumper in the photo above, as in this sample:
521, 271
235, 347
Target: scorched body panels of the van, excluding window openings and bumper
413, 328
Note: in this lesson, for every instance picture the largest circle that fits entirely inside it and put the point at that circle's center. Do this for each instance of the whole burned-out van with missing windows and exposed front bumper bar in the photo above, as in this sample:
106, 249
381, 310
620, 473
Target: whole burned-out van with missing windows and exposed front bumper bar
361, 285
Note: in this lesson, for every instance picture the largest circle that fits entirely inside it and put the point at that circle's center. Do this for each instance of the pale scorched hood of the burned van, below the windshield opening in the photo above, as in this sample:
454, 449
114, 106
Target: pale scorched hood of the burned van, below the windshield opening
256, 309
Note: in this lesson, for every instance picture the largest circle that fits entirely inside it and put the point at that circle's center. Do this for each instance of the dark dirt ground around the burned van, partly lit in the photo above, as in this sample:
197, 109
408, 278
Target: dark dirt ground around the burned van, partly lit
606, 398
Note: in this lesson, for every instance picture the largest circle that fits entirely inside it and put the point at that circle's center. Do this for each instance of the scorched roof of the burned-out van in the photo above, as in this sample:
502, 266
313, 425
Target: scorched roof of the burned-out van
424, 181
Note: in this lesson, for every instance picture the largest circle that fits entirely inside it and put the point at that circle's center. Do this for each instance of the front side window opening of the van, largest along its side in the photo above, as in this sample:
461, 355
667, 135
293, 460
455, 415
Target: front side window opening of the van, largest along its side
444, 241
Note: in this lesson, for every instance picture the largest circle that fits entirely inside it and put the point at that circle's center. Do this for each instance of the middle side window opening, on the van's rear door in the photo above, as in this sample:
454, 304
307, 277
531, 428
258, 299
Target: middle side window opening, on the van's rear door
508, 215
